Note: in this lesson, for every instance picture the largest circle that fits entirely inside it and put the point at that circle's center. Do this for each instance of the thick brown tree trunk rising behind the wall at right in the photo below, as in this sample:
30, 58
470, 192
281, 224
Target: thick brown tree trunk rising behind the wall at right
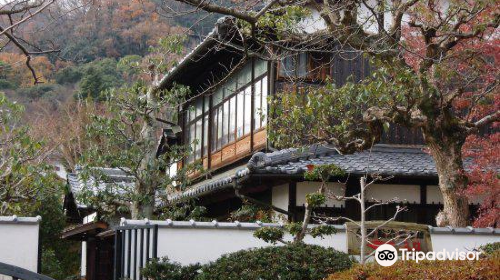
452, 181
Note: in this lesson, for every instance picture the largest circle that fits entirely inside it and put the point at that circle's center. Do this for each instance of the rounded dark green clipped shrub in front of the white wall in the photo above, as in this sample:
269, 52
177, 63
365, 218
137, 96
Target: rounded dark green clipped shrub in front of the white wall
291, 262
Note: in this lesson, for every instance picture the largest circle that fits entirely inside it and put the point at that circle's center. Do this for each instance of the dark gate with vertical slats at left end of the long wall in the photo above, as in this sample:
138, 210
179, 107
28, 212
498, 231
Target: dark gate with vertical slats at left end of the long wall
135, 245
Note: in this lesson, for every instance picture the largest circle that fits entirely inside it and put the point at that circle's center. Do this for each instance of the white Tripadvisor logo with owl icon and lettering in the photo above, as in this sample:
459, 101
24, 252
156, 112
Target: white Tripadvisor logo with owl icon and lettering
387, 255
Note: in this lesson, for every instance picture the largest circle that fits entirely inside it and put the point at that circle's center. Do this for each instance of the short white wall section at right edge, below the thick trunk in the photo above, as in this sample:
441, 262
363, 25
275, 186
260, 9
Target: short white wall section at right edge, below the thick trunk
461, 242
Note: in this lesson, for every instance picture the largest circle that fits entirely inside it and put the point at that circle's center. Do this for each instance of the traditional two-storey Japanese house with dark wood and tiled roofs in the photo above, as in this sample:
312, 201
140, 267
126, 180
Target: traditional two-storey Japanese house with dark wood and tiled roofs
227, 115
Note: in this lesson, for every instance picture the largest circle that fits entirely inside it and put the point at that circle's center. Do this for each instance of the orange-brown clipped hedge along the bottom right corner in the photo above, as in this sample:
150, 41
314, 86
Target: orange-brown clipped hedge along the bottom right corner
483, 269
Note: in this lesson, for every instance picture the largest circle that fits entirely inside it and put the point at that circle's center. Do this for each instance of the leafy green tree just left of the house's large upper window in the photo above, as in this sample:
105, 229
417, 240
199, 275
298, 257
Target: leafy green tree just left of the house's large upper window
118, 140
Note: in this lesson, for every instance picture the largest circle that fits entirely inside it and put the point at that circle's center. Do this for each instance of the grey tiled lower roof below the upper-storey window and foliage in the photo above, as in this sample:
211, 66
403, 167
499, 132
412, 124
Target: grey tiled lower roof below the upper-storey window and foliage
382, 160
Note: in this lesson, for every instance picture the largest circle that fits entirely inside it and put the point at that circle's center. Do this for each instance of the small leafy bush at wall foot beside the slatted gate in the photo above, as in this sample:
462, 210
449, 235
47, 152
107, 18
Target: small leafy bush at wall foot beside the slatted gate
167, 270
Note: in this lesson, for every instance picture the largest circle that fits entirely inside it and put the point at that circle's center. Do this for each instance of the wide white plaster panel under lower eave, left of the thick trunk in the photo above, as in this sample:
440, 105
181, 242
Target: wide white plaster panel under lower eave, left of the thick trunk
385, 192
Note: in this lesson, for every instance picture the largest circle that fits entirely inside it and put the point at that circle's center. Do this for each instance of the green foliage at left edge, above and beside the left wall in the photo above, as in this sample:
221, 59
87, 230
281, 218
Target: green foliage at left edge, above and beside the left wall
28, 187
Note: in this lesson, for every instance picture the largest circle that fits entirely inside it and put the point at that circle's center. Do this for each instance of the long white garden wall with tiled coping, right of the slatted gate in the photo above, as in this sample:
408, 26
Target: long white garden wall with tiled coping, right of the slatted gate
193, 242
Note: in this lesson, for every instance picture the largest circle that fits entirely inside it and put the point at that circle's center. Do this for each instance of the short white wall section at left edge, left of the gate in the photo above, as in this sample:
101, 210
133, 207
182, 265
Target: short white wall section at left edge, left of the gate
19, 242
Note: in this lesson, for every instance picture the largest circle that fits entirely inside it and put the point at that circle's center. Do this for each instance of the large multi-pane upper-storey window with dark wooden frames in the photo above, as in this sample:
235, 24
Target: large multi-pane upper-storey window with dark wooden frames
225, 116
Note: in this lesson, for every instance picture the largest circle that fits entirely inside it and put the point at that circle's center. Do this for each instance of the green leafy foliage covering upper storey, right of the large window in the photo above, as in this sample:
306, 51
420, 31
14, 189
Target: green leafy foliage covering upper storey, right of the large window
334, 115
